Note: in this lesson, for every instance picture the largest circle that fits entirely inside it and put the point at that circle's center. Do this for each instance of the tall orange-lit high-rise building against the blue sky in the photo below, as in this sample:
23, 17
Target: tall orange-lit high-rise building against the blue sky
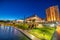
52, 14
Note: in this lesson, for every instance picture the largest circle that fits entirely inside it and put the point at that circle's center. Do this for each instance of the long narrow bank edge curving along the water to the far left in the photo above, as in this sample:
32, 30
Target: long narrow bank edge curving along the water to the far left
25, 32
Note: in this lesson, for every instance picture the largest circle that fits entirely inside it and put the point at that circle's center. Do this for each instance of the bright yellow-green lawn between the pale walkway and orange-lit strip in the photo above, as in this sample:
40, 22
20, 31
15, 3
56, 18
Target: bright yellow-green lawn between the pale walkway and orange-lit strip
44, 33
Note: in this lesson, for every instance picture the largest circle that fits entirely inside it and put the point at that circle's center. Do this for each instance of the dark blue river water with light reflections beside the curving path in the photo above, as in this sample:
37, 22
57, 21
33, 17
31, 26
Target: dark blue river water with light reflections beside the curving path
10, 33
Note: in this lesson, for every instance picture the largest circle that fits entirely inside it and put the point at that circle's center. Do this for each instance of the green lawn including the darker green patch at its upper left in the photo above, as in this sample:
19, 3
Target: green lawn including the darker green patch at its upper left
44, 33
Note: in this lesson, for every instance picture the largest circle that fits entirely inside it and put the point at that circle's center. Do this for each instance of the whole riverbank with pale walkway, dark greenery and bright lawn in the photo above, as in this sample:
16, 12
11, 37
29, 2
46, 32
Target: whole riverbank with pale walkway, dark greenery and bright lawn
35, 33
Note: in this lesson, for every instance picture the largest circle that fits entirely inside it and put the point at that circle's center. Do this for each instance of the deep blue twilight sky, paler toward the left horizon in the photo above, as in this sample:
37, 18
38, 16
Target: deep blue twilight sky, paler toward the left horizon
17, 9
